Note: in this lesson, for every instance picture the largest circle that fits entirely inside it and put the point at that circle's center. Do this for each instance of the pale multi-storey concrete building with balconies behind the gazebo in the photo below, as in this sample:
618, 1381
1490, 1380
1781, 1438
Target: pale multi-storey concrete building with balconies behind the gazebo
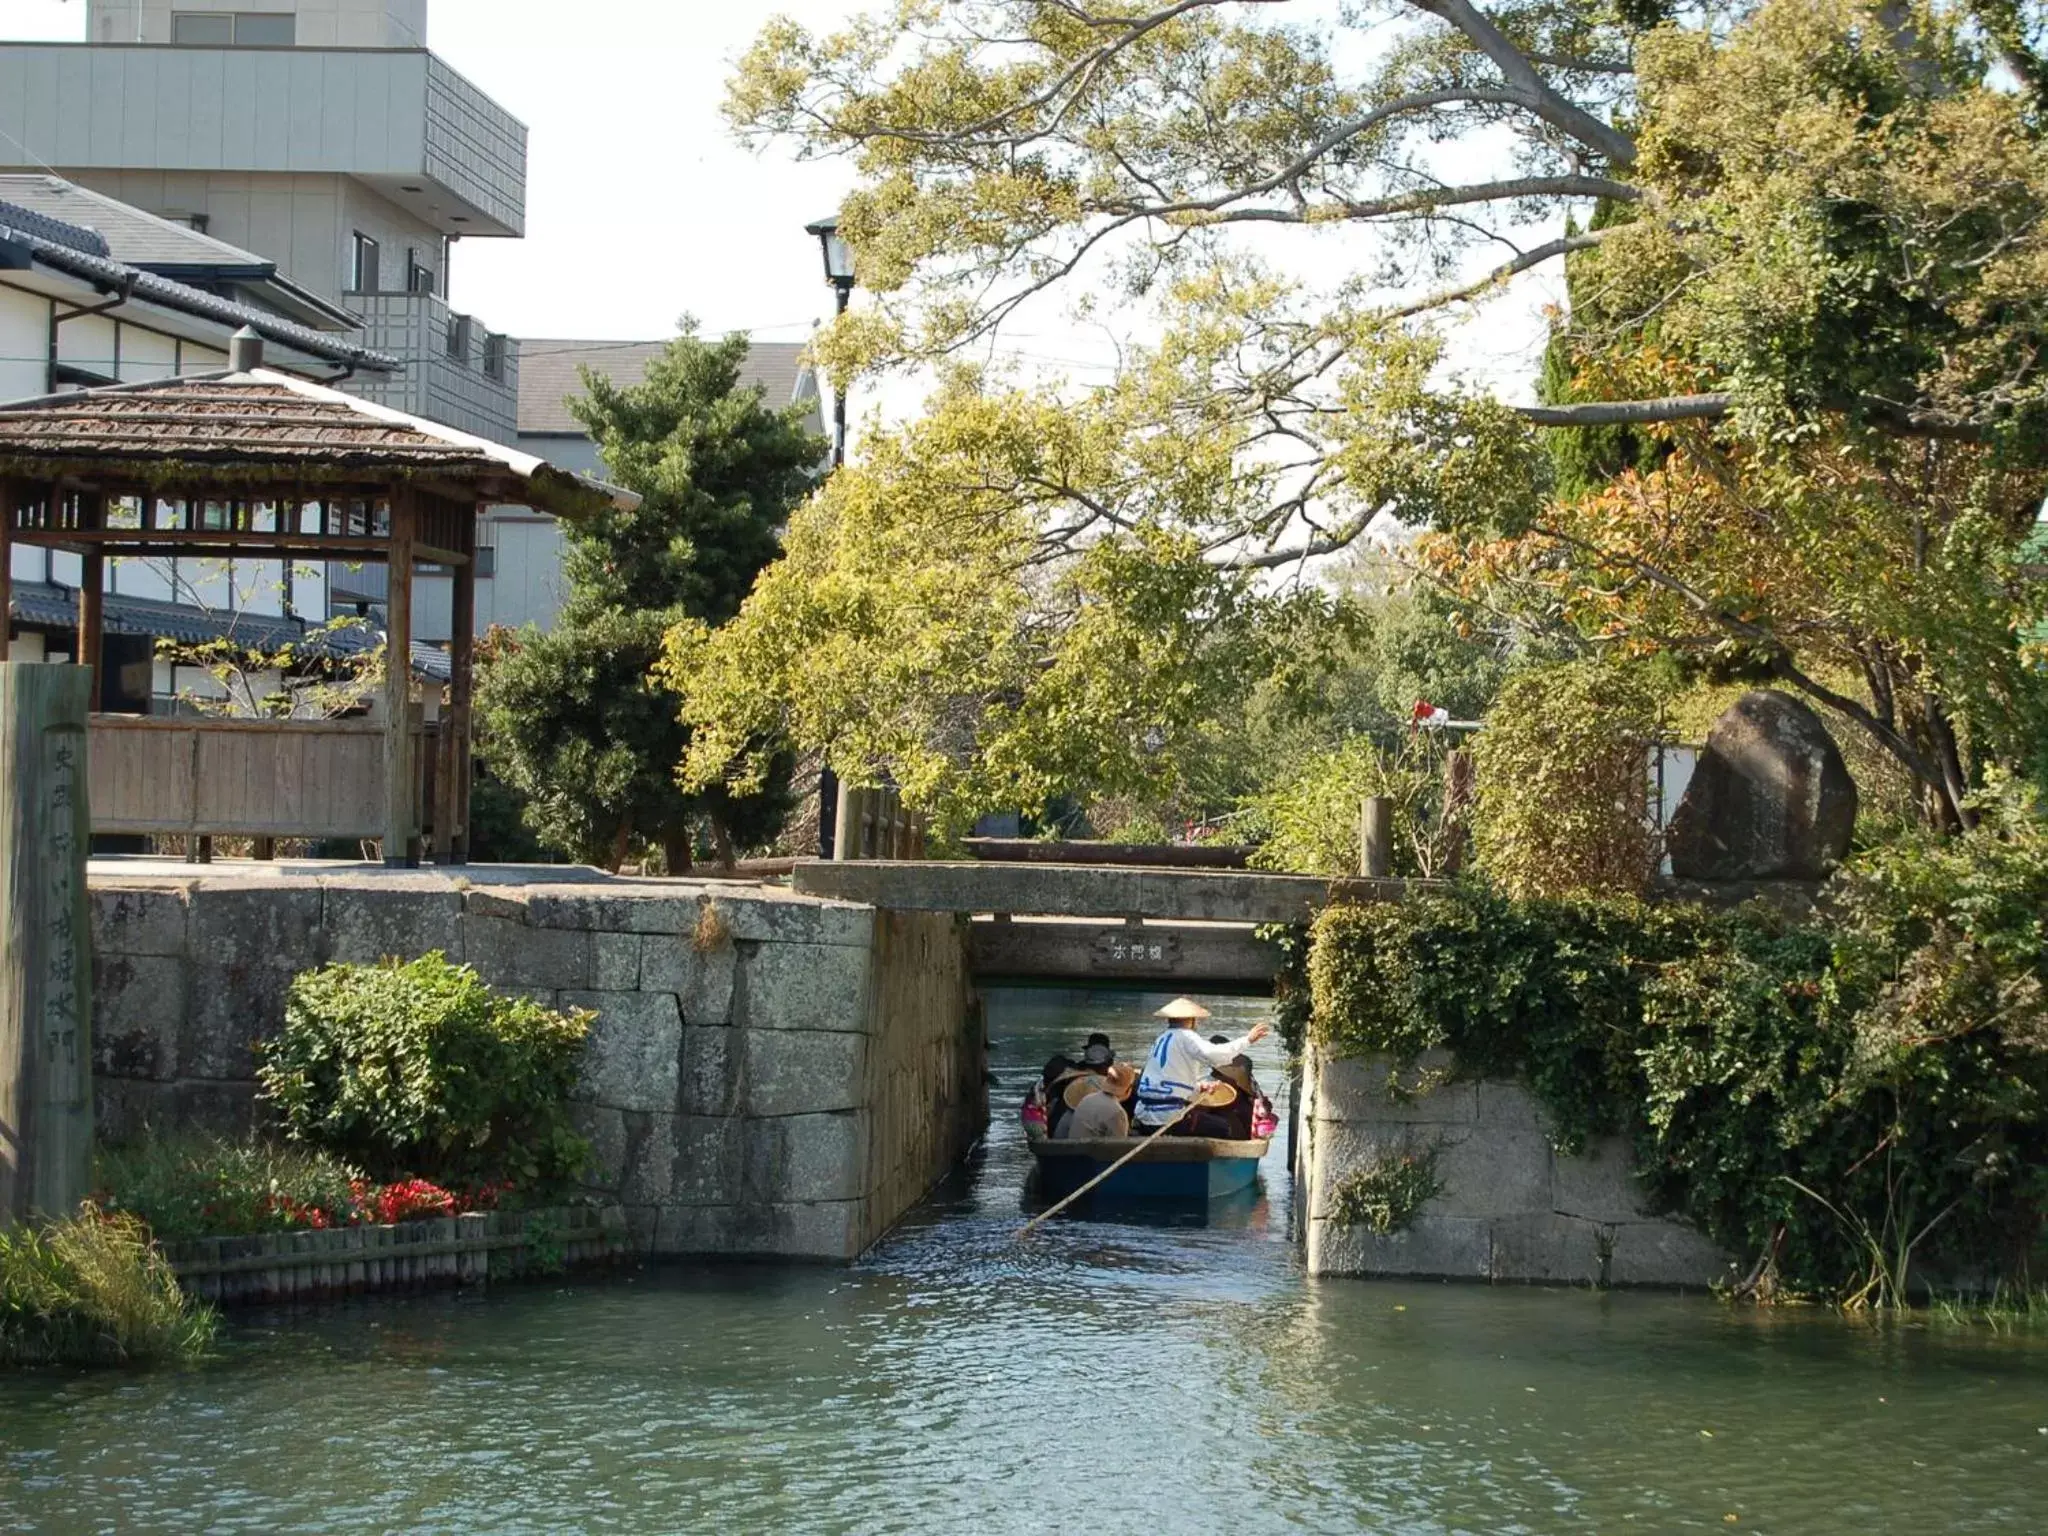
318, 134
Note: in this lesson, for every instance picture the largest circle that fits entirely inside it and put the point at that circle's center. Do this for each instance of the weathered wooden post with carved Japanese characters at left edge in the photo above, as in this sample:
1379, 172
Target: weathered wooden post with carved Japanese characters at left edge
46, 957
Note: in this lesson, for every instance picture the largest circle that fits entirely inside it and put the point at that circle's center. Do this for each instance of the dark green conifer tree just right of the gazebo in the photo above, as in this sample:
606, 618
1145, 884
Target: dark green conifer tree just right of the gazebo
572, 720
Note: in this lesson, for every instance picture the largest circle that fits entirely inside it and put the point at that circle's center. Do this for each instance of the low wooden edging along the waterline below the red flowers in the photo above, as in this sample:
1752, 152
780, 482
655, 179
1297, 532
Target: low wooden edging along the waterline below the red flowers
411, 1256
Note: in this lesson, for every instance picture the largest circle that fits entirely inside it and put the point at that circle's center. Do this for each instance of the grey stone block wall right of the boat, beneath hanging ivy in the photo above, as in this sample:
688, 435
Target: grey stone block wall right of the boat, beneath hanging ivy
1510, 1209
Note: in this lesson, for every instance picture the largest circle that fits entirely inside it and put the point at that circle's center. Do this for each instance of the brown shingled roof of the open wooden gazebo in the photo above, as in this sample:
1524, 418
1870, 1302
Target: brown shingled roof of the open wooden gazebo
243, 425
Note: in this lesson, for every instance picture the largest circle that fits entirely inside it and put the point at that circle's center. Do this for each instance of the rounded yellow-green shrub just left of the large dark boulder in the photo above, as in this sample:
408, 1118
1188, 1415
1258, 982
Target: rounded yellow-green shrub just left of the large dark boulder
1564, 781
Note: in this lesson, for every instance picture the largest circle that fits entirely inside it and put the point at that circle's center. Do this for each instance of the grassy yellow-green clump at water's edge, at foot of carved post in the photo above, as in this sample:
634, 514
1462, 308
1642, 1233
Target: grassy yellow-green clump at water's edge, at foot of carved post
93, 1291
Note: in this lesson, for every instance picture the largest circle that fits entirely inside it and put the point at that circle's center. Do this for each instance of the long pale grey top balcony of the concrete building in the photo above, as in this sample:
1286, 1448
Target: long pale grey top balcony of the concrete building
398, 120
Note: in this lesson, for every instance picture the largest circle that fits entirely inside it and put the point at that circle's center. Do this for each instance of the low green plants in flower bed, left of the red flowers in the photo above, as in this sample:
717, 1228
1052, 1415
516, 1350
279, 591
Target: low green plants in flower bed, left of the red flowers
210, 1187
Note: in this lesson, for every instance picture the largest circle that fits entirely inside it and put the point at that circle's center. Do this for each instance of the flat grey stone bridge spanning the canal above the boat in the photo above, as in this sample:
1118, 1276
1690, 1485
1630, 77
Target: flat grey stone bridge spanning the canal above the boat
1185, 929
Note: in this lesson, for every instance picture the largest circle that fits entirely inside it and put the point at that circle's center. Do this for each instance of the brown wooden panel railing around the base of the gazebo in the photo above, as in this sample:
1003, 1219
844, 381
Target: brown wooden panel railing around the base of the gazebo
245, 779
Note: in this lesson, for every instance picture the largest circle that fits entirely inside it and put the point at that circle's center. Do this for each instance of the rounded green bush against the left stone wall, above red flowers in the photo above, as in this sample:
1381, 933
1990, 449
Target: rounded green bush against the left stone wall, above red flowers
423, 1070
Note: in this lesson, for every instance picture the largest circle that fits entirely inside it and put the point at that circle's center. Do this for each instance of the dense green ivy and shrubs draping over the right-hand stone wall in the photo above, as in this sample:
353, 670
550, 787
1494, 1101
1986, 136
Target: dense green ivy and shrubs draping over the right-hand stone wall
1848, 1099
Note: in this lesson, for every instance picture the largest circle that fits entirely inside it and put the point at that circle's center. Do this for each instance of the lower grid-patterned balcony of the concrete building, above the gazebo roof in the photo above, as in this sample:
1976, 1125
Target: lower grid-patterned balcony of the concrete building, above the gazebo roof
456, 370
